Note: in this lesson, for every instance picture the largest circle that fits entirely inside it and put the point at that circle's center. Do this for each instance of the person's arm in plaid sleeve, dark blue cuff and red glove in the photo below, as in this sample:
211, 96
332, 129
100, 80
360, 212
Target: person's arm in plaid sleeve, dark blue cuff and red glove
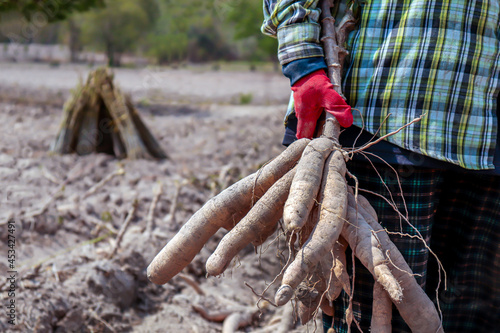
295, 25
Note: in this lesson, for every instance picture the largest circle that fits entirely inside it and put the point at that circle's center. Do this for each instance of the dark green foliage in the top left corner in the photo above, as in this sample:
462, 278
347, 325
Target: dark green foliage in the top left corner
53, 10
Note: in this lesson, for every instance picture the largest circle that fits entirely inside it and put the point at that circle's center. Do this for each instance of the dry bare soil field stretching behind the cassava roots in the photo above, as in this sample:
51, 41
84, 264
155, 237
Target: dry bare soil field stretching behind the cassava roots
65, 227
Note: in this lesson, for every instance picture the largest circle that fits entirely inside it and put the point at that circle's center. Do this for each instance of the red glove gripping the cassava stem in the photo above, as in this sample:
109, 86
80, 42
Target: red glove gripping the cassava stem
313, 93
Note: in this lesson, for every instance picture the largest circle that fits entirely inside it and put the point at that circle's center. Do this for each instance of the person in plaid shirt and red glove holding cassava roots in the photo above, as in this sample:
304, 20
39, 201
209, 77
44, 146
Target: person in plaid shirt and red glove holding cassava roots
439, 59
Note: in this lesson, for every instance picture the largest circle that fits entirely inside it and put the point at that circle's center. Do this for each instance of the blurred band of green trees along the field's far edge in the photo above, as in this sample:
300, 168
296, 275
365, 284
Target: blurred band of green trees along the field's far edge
134, 33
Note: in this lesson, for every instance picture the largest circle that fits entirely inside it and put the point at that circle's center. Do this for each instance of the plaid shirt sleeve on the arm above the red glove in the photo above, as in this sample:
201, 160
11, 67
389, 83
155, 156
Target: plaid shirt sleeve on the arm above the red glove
295, 25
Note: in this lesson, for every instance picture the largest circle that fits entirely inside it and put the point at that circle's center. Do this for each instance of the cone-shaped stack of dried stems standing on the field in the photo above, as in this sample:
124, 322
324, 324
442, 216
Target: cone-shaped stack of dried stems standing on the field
99, 118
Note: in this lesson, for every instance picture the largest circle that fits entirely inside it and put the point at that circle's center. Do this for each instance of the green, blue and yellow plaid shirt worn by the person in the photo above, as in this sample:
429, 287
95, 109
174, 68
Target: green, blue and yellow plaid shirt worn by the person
408, 58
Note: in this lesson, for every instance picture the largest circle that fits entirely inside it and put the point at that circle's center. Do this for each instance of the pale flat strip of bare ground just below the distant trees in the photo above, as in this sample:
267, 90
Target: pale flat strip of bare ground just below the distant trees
194, 84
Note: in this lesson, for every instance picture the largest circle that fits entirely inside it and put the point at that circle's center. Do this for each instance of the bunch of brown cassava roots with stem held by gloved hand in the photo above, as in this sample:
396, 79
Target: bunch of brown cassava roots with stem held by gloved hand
306, 186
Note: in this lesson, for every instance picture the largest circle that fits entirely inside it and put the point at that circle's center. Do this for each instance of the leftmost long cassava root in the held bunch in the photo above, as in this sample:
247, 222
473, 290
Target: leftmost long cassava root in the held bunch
224, 210
